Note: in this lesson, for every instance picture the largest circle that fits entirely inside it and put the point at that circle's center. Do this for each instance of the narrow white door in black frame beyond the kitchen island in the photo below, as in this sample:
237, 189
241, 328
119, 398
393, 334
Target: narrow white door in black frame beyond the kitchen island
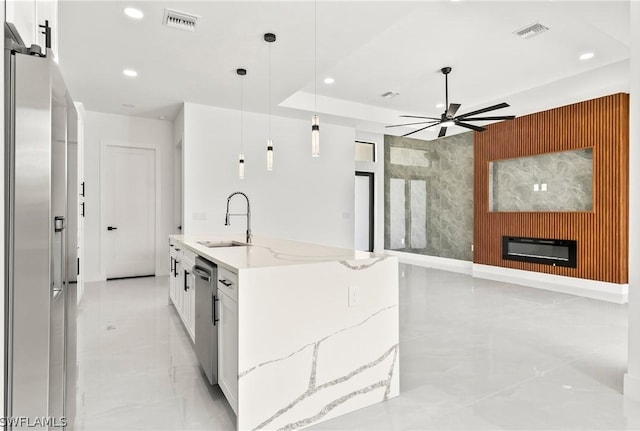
363, 211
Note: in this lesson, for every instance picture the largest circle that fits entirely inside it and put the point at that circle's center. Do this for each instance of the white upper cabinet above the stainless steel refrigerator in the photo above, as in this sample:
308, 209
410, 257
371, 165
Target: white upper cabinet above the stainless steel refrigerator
27, 15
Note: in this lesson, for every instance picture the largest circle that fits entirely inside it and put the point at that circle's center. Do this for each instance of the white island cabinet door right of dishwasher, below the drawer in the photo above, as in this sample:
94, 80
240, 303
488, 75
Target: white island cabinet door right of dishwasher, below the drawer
228, 348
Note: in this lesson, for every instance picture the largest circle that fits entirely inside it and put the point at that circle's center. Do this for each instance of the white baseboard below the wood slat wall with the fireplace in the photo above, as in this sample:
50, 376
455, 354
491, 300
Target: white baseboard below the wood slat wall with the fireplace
601, 290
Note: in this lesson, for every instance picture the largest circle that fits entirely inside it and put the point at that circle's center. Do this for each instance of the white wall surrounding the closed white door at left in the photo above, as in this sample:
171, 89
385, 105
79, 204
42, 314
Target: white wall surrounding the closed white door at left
100, 129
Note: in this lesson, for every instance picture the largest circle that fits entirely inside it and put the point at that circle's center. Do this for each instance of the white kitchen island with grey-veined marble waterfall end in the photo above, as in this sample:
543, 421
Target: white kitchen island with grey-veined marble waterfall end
316, 328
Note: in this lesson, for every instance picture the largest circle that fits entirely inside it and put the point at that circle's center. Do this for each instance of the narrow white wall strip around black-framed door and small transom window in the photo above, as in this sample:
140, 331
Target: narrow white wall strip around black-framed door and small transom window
378, 170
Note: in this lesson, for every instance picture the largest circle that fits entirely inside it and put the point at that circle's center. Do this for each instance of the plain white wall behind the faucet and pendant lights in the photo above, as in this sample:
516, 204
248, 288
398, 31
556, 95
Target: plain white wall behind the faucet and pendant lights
303, 198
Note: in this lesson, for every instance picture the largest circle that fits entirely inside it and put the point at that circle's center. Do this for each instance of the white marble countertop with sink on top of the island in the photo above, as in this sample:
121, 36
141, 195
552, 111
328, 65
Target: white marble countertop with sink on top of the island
267, 252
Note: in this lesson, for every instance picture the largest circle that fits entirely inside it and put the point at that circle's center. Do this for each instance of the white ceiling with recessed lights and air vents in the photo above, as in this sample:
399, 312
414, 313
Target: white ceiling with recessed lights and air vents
368, 47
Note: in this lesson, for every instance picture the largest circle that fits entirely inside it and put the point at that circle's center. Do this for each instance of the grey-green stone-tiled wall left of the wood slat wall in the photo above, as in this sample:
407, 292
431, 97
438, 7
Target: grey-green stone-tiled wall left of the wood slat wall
433, 213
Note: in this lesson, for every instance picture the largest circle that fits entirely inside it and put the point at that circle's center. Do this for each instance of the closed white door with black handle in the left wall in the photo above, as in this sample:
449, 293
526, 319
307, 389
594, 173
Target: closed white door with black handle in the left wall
130, 212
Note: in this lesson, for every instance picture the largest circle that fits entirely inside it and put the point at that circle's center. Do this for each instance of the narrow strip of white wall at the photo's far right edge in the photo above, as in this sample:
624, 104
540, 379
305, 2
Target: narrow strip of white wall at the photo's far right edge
632, 378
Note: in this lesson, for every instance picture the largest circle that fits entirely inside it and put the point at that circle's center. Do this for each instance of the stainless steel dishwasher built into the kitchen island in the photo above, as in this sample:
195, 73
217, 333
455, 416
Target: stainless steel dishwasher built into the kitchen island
206, 328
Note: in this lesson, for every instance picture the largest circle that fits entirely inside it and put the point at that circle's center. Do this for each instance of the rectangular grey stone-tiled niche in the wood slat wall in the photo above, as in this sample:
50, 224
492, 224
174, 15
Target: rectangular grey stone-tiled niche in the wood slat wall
561, 181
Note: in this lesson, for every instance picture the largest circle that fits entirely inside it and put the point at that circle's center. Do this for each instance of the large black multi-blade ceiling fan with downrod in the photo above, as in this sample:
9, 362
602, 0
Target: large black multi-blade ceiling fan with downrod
449, 118
